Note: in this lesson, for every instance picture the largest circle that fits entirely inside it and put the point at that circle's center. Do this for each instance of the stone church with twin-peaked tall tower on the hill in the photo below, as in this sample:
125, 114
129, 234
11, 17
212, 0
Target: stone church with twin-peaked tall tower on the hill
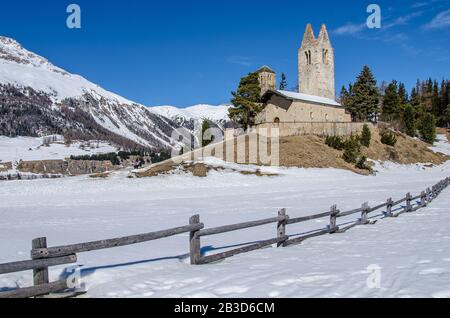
313, 109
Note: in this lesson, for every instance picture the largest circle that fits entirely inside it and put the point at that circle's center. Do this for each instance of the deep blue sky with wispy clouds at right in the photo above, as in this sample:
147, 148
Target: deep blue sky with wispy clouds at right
187, 52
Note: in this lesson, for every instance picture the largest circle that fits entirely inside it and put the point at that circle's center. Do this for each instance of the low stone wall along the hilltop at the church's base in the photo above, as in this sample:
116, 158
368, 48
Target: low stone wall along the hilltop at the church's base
318, 129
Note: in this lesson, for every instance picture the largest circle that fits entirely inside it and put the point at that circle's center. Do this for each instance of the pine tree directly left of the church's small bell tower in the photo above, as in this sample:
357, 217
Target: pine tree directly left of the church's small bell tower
246, 101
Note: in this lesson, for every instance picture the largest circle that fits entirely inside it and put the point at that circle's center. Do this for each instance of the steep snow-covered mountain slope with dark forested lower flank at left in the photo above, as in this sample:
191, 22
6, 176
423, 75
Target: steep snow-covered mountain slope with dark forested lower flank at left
38, 98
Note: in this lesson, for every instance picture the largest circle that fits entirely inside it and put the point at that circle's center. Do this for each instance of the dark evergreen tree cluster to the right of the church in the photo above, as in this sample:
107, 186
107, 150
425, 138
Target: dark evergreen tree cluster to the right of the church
416, 114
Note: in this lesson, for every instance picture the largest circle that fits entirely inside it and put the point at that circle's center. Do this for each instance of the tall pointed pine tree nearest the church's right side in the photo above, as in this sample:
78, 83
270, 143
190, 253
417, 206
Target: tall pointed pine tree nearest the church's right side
363, 102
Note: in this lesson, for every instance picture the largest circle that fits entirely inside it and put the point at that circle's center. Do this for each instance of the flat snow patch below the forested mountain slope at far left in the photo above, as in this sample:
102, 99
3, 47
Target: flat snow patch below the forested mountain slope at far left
29, 149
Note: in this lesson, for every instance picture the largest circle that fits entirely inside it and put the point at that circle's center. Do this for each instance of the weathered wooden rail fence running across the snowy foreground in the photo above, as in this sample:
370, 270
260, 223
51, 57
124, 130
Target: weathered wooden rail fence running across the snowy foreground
43, 257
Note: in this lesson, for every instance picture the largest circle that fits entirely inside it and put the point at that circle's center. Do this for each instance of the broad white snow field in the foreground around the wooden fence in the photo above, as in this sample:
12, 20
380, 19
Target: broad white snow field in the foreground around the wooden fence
413, 251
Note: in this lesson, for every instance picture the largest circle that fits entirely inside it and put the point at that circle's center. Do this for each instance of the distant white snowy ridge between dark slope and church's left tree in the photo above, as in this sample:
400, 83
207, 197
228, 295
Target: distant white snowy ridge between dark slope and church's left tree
197, 112
